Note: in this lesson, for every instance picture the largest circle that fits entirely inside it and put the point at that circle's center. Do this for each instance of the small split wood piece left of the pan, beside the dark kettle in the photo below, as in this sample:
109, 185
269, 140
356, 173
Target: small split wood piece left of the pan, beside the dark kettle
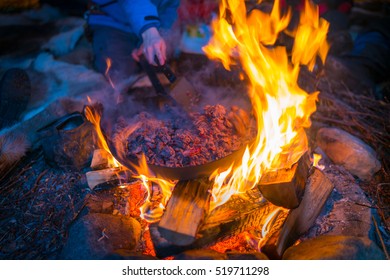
116, 175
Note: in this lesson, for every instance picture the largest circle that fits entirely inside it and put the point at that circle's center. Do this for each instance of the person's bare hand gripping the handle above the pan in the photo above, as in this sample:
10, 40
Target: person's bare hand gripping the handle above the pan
153, 45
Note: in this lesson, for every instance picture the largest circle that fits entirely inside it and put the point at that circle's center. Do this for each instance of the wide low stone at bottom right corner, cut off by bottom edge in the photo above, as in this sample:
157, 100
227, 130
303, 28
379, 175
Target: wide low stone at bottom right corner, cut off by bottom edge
335, 248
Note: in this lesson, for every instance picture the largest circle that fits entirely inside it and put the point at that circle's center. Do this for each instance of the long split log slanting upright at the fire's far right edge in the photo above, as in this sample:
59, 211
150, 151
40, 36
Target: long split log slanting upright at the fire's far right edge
317, 191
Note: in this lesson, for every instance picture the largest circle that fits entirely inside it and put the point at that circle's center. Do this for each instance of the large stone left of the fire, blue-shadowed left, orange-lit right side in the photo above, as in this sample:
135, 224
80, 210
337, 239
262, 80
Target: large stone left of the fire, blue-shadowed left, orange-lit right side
94, 236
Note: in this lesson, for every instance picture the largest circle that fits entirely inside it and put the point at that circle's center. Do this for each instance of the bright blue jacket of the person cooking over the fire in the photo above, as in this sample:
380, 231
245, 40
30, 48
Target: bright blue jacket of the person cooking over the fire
135, 16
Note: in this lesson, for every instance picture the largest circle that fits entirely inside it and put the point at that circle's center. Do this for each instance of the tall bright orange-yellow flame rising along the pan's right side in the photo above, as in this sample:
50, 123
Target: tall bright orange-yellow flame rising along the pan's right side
281, 107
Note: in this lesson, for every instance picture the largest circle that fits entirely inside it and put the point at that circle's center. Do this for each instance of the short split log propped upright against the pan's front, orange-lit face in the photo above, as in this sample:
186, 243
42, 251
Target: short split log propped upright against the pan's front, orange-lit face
185, 211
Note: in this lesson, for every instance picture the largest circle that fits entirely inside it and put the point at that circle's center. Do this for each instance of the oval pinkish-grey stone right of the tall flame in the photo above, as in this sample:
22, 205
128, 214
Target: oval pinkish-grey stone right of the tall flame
348, 151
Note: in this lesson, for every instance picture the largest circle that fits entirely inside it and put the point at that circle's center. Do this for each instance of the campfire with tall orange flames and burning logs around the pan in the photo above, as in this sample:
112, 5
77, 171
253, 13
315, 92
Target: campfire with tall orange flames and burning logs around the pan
270, 177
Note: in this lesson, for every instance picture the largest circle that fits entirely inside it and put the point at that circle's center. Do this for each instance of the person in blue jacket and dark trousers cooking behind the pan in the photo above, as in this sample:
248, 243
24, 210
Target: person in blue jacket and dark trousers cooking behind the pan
123, 30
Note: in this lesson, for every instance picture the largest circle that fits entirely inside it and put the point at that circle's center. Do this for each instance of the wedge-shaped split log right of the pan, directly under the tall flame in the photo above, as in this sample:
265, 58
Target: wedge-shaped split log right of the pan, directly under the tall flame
285, 187
